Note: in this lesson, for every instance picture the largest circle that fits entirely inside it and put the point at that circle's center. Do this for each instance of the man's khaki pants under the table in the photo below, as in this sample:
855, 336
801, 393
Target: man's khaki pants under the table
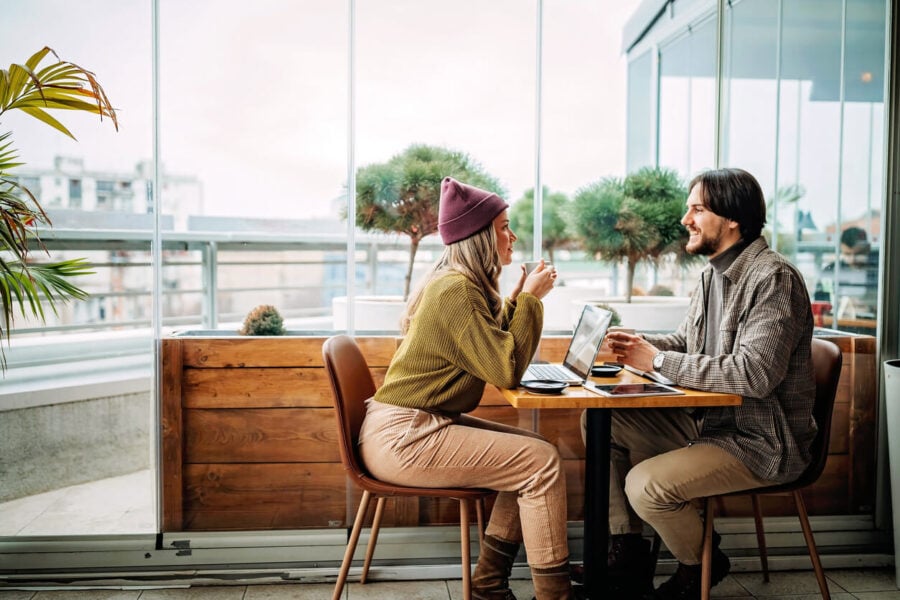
655, 475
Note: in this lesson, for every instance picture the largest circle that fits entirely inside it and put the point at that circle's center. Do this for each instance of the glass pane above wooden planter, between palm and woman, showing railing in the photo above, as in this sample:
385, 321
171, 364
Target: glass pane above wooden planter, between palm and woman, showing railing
254, 156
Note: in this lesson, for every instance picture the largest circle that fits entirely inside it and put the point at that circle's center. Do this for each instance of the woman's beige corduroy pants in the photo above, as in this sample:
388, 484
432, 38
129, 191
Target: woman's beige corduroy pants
408, 446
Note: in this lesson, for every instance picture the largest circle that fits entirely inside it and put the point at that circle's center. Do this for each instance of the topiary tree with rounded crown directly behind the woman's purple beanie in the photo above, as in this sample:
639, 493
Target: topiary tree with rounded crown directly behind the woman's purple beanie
402, 195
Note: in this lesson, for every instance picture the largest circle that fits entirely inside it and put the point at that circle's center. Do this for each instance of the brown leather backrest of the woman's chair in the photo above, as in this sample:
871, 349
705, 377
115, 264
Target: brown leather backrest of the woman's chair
351, 385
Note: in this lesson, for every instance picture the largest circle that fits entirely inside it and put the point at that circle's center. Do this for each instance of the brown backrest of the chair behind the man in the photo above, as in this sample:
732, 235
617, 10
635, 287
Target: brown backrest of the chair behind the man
827, 360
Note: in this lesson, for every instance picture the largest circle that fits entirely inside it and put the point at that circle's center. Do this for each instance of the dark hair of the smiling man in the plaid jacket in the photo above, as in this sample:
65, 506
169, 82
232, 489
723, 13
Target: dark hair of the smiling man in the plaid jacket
734, 194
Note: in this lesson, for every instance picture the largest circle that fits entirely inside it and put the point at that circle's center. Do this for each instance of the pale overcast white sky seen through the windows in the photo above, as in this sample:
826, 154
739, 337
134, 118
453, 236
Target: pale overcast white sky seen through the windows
254, 96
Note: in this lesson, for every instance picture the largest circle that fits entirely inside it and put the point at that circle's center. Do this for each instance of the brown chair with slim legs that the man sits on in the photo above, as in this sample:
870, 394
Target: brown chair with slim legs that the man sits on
827, 360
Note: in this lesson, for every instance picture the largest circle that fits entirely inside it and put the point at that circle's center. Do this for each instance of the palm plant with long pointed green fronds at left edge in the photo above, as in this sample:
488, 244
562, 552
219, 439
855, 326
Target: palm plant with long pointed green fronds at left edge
37, 87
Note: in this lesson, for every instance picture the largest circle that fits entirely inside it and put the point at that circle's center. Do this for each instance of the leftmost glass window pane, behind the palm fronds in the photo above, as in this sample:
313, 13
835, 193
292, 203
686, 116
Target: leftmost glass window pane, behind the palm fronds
75, 398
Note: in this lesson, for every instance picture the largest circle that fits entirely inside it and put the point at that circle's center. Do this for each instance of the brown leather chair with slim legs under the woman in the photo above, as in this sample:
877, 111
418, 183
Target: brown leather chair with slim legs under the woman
351, 383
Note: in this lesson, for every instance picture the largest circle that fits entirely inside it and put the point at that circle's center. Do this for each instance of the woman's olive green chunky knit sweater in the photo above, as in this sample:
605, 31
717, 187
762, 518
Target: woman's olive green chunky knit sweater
453, 347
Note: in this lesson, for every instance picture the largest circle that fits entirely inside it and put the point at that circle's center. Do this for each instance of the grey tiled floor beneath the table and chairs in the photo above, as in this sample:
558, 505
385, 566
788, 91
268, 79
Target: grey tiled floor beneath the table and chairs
850, 584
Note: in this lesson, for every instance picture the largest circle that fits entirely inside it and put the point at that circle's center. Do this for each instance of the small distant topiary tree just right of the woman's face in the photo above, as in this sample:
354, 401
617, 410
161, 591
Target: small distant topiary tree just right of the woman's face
555, 231
